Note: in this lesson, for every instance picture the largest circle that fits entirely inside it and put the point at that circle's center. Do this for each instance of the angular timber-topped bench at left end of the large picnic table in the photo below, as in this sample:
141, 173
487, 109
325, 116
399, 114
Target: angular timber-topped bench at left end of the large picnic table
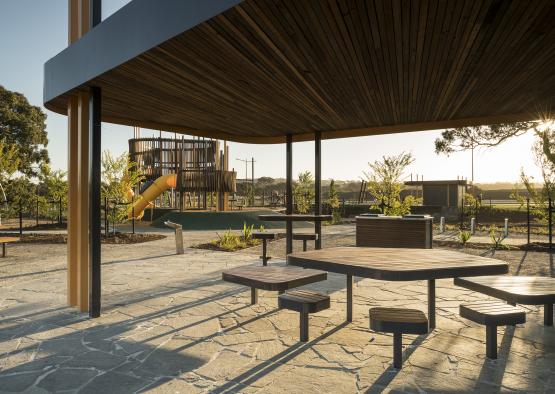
272, 278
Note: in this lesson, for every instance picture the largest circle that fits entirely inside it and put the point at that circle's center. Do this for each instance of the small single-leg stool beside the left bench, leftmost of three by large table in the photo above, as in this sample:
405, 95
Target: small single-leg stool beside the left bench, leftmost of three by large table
304, 302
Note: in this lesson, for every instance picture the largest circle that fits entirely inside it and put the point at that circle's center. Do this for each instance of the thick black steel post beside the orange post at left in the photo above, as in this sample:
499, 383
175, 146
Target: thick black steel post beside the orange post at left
95, 105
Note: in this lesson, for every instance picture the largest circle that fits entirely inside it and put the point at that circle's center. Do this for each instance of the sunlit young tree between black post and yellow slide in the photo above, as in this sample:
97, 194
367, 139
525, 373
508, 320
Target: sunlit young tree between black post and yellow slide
119, 177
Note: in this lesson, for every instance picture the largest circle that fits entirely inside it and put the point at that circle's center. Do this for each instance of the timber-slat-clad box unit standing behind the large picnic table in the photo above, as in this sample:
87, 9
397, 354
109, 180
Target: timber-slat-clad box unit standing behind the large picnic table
393, 232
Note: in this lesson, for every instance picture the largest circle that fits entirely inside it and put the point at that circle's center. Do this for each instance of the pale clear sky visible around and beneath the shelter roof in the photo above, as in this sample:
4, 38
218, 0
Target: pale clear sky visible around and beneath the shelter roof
32, 31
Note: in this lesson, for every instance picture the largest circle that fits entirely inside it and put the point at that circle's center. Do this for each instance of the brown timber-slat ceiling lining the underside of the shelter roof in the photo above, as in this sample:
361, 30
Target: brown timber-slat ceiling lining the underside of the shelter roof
343, 67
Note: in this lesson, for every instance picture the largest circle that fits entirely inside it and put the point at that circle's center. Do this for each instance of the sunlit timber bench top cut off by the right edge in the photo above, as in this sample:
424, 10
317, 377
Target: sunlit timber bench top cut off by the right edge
528, 290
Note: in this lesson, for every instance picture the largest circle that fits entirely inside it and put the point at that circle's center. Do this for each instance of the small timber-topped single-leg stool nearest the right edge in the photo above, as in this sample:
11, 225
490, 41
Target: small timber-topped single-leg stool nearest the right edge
492, 314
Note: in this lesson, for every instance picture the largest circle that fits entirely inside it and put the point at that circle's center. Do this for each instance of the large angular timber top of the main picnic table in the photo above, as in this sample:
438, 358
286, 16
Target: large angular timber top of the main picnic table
398, 264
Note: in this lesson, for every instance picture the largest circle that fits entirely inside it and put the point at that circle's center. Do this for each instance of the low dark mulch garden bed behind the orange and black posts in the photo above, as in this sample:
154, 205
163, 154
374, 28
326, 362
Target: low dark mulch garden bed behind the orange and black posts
118, 238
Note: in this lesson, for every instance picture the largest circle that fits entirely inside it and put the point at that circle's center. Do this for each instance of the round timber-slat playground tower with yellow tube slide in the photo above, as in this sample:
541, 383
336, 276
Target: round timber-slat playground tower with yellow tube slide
194, 173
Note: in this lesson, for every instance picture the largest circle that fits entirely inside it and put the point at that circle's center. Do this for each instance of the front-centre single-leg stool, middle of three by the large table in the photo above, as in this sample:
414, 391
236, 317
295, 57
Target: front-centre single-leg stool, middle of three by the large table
398, 321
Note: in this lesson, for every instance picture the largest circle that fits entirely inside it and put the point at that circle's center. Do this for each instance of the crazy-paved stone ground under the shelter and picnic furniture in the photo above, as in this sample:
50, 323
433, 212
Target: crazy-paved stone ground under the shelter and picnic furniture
169, 324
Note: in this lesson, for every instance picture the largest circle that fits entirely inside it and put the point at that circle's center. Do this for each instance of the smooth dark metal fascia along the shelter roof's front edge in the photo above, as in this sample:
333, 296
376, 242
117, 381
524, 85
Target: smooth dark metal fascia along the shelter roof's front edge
134, 29
